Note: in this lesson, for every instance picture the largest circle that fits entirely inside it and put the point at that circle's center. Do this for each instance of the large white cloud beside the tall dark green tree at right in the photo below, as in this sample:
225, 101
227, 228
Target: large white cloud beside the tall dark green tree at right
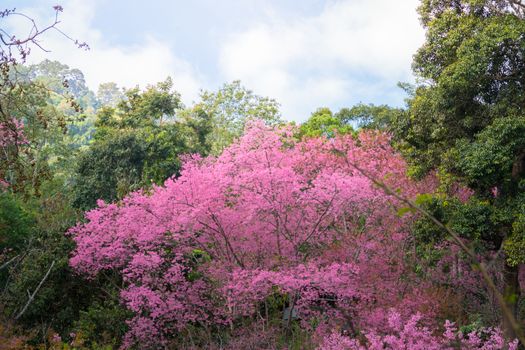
353, 50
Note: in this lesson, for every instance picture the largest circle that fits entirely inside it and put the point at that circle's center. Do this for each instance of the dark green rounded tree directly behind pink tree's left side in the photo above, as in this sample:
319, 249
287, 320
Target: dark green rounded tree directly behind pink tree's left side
137, 144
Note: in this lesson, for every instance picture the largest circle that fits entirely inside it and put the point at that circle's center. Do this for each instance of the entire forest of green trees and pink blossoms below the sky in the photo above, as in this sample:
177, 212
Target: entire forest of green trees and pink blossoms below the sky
130, 220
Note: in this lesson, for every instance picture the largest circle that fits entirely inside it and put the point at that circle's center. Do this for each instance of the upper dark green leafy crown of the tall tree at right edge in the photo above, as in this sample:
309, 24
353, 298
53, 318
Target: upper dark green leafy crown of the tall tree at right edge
473, 63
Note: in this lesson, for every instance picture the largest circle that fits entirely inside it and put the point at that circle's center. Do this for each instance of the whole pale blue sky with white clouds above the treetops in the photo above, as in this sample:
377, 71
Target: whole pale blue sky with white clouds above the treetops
306, 54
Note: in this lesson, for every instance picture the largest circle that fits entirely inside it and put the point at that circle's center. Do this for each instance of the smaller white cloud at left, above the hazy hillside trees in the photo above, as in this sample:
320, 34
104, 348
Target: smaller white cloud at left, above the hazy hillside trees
145, 63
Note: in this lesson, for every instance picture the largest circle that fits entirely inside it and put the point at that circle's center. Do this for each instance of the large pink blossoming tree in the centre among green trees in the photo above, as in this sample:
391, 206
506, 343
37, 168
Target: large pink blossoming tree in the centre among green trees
270, 215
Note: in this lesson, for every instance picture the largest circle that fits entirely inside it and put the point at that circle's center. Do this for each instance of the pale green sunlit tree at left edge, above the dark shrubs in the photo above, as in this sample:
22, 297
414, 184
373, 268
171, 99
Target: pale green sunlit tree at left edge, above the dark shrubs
25, 166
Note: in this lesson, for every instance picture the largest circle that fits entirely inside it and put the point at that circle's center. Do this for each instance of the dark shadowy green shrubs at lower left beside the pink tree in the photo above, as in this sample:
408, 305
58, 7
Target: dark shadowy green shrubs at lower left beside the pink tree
32, 244
